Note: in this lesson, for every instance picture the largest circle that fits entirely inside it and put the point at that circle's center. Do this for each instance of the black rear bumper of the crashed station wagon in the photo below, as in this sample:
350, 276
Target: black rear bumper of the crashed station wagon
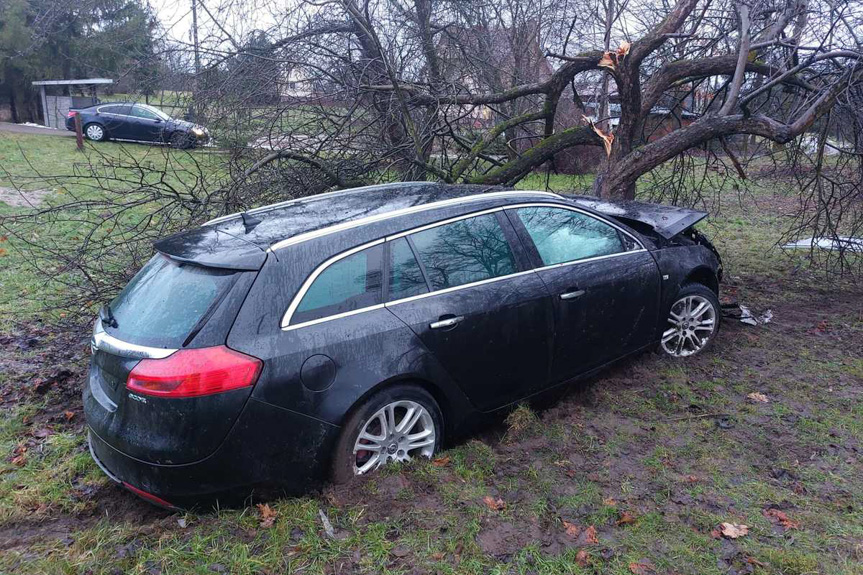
269, 450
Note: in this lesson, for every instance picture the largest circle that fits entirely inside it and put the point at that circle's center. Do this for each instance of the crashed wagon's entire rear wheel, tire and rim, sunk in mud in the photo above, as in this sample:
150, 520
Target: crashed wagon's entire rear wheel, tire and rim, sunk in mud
347, 463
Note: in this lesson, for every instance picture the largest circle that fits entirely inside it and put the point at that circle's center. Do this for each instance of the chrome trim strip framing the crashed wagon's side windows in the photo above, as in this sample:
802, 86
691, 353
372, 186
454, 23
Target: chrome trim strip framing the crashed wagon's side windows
286, 318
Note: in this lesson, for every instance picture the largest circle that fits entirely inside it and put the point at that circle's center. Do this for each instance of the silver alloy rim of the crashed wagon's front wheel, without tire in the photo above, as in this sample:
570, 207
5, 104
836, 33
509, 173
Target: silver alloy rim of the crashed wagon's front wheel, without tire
693, 323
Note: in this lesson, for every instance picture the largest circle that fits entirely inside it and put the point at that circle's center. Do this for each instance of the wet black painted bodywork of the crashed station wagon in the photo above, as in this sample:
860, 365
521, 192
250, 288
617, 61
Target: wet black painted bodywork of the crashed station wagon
281, 432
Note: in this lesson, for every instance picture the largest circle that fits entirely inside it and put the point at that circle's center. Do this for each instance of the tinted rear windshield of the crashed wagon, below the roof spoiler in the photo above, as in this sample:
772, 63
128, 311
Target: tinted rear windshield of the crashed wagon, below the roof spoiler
166, 300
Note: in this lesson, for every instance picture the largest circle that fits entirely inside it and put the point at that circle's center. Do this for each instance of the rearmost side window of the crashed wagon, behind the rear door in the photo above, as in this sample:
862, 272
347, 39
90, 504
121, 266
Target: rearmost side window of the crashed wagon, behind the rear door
351, 283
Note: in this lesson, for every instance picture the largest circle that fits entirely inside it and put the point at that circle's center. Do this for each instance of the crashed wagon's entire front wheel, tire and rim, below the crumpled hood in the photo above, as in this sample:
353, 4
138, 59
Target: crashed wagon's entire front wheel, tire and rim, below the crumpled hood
691, 334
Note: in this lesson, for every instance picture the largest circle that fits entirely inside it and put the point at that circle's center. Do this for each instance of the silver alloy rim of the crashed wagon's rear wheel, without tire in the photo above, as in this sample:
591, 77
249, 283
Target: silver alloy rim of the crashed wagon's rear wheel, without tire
395, 433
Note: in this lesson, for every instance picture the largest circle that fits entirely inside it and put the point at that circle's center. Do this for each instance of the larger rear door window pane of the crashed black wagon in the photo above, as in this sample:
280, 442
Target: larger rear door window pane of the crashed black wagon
464, 251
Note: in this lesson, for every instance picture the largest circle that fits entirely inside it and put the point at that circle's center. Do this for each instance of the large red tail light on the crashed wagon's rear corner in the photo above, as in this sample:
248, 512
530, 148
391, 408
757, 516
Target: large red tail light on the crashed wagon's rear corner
194, 372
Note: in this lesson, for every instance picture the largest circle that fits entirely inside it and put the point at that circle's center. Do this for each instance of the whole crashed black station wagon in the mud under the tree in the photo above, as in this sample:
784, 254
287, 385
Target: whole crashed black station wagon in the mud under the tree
326, 336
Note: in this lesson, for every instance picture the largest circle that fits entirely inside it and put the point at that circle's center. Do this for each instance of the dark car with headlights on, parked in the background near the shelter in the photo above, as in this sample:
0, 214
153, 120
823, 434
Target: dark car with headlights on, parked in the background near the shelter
138, 123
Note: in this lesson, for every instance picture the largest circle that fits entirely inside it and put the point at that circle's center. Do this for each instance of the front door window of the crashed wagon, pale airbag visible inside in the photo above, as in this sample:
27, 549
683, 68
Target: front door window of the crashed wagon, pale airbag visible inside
564, 235
